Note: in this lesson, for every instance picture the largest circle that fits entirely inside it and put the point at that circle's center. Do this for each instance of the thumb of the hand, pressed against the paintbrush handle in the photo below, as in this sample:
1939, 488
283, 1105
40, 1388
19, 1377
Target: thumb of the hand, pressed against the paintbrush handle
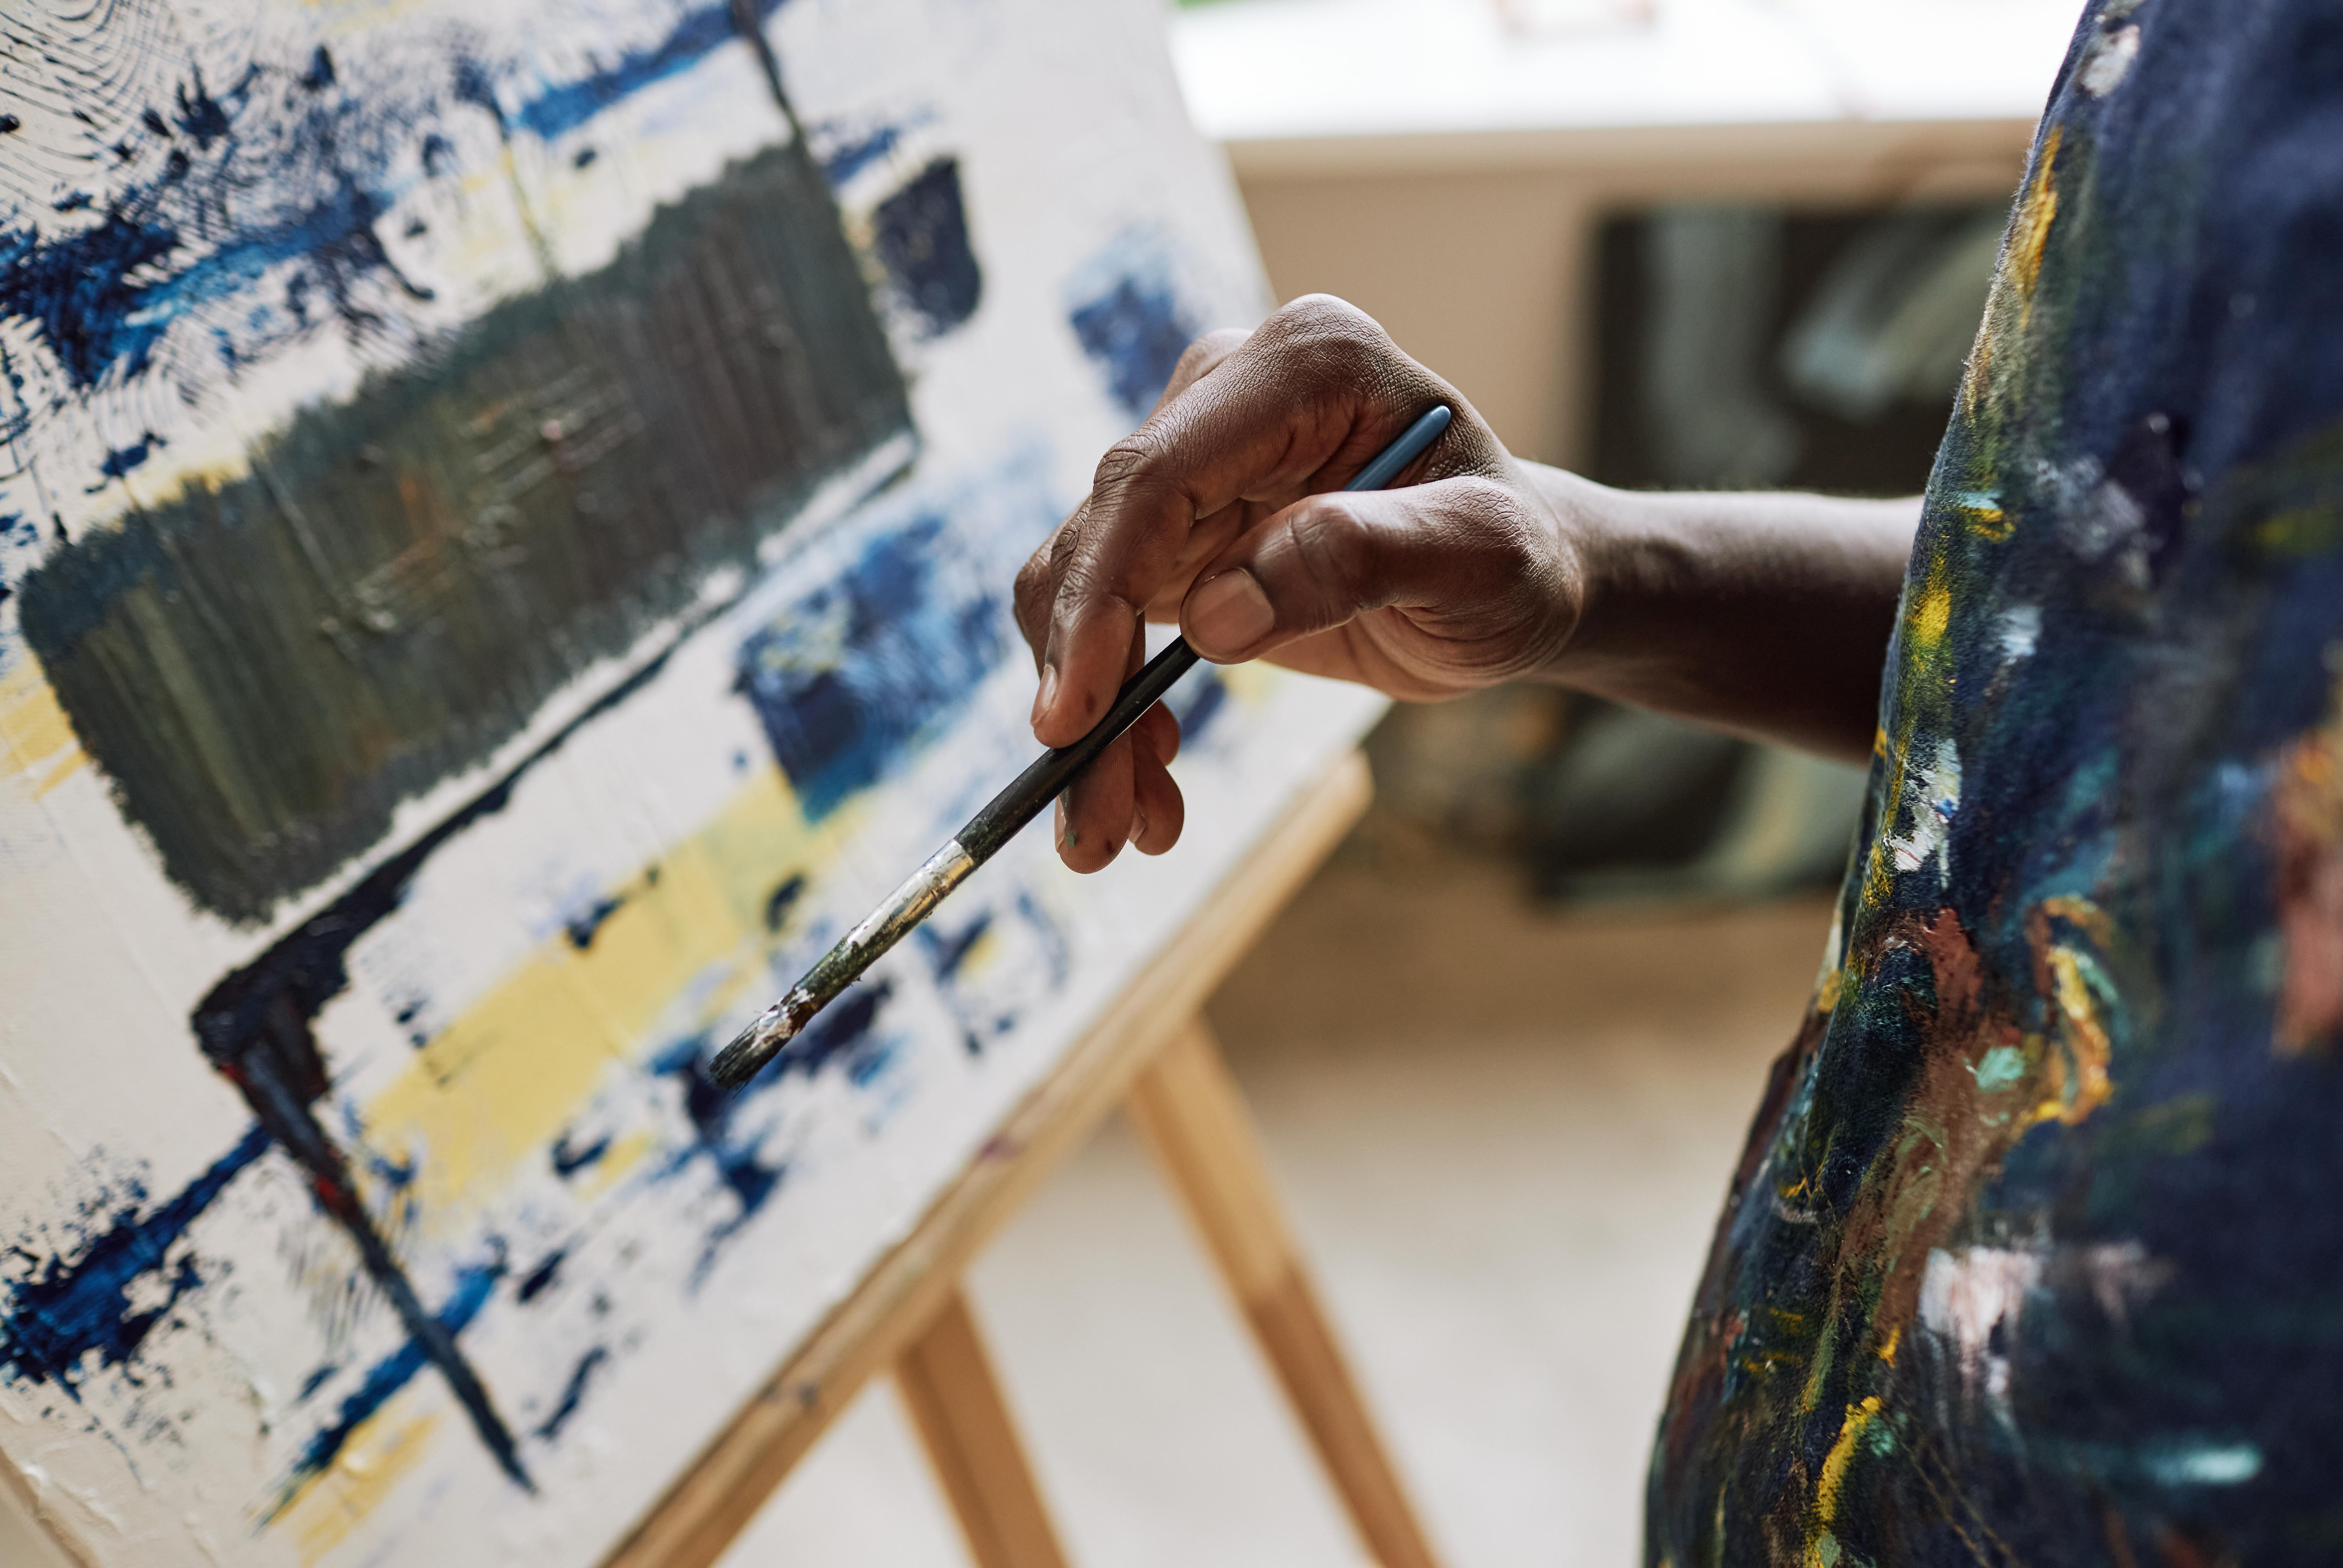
1459, 550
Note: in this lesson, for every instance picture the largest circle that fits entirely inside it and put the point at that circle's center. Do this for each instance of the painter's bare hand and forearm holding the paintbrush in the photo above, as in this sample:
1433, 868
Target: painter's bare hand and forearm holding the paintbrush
1768, 615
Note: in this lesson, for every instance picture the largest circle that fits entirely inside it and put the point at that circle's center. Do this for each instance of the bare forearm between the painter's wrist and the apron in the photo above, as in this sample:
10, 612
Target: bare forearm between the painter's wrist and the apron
1768, 615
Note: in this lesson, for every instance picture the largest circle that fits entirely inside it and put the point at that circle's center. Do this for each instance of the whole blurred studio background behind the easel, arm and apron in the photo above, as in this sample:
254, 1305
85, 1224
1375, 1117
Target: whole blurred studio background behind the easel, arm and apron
1508, 1044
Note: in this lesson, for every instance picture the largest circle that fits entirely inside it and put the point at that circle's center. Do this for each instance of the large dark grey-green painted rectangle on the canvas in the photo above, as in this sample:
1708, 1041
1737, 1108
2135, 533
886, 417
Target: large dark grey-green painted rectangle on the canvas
266, 669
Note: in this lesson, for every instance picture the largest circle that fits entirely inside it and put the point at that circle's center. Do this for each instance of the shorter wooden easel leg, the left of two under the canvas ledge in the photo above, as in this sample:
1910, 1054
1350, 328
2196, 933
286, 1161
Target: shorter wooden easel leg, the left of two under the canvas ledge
974, 1447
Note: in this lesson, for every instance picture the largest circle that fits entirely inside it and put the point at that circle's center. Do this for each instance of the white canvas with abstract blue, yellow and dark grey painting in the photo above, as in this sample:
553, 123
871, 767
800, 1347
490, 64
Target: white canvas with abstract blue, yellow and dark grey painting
505, 554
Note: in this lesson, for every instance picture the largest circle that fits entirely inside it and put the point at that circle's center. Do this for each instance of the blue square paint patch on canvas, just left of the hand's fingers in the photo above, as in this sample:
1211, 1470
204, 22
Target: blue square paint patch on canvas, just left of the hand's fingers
840, 716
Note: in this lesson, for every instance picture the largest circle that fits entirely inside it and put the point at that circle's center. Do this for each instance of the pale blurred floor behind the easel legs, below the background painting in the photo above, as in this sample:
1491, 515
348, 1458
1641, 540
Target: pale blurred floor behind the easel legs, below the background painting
1503, 1136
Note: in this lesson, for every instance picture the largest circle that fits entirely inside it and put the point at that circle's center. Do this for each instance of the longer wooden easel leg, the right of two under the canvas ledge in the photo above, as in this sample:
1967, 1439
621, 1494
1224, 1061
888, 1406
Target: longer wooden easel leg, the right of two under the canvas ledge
1194, 1119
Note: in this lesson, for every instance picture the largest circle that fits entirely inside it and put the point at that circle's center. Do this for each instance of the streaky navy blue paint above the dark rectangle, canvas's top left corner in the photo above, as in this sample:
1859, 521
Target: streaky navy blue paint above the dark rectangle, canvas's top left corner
285, 175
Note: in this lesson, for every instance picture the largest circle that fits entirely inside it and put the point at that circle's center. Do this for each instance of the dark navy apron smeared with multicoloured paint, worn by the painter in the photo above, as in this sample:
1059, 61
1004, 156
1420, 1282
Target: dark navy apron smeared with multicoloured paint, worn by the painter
2033, 1255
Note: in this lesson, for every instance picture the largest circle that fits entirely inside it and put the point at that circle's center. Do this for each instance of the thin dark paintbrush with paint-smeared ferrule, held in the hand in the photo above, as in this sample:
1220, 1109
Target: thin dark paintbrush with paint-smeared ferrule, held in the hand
999, 822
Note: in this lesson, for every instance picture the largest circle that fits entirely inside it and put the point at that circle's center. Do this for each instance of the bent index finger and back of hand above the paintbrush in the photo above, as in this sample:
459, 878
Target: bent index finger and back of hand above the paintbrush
1297, 407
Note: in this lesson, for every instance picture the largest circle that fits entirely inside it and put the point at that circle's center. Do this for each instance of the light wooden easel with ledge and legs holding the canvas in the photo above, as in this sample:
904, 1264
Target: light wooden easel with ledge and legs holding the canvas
1154, 1056
